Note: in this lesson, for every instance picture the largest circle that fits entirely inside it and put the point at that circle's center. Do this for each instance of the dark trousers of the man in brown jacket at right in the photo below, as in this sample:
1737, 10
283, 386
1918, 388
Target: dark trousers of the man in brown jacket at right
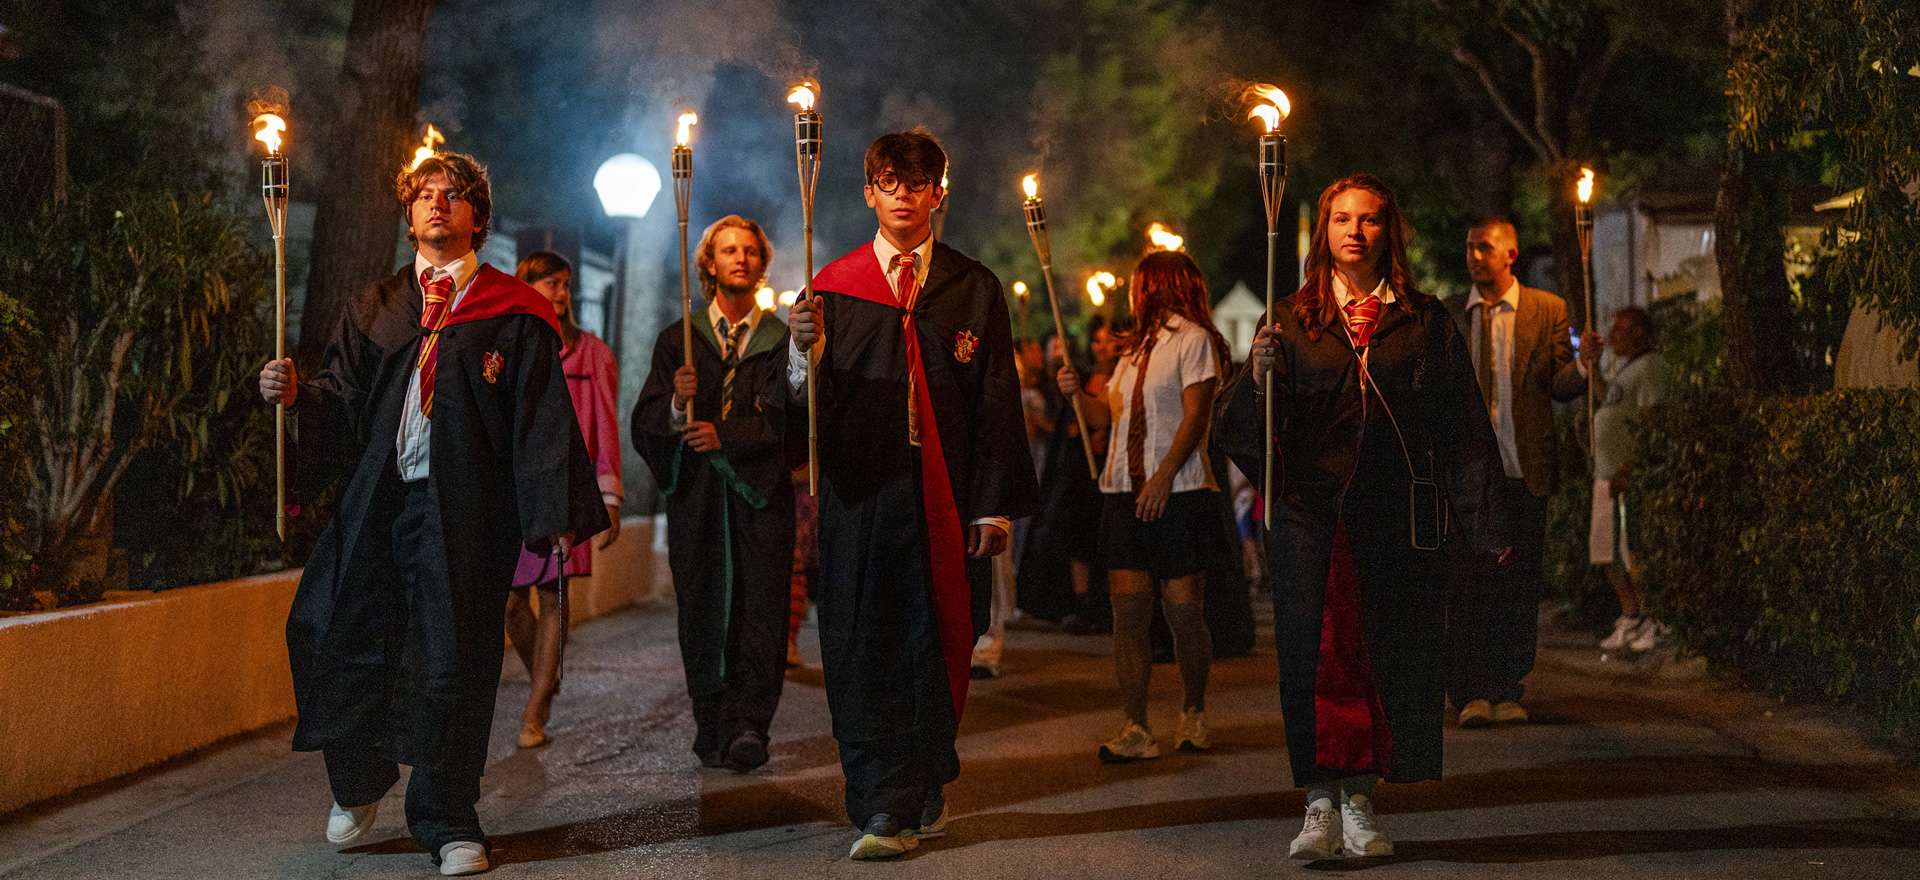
1495, 620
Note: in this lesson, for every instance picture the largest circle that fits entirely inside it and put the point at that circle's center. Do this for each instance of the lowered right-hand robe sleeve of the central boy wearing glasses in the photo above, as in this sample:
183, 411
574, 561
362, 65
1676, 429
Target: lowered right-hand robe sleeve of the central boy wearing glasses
1003, 483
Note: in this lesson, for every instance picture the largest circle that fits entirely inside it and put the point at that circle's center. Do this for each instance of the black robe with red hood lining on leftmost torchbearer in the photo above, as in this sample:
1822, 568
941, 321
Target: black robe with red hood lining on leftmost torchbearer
510, 472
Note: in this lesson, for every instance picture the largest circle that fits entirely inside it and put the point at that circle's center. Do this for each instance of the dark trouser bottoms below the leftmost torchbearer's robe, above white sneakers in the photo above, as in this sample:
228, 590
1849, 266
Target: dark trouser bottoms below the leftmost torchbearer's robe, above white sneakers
441, 806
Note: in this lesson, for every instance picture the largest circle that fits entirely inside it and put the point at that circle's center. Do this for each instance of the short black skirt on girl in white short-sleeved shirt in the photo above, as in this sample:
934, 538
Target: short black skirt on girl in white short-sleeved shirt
1174, 547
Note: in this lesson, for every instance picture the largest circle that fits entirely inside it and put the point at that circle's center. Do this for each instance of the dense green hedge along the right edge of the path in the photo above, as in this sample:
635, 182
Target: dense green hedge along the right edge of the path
1783, 543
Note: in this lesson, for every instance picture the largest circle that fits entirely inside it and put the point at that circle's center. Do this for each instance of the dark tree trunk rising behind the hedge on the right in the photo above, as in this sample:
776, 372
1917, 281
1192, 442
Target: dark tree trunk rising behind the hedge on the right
1750, 247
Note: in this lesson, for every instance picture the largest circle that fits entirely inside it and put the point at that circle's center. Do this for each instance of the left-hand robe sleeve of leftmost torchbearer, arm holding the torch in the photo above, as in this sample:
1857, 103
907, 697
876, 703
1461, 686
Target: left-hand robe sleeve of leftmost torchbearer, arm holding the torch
331, 408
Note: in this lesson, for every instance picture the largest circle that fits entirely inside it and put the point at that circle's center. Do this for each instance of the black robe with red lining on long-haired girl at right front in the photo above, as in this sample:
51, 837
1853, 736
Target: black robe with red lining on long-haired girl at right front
1360, 614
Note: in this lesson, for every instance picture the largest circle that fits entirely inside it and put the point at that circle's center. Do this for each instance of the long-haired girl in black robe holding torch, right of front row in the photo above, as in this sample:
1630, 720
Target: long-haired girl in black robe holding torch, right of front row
1383, 460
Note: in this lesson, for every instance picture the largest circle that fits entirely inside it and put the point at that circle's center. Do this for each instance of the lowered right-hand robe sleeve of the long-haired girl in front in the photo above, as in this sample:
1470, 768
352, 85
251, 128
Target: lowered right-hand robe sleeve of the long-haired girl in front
1464, 437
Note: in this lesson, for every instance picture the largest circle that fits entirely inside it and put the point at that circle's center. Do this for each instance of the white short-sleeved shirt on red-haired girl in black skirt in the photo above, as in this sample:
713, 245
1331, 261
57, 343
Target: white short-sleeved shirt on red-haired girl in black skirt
1184, 356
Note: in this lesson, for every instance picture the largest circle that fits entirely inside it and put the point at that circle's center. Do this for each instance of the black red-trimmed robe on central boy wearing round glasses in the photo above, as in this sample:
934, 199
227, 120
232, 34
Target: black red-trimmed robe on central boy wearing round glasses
894, 514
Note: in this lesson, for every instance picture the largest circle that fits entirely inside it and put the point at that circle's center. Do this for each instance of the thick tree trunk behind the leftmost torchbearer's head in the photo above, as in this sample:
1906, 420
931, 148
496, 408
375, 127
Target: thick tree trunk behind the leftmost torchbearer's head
372, 126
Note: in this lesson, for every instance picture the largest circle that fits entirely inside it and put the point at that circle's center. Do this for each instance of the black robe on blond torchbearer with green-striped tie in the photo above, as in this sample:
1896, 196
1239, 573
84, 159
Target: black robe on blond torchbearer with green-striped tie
729, 524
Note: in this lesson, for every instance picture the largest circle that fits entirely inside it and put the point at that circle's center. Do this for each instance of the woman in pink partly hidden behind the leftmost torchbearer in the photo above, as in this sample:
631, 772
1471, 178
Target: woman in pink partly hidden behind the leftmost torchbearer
592, 378
